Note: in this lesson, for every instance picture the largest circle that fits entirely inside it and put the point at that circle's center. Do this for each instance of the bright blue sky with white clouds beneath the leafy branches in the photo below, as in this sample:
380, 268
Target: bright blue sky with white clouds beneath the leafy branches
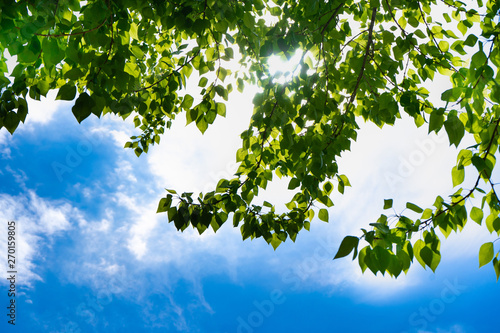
94, 257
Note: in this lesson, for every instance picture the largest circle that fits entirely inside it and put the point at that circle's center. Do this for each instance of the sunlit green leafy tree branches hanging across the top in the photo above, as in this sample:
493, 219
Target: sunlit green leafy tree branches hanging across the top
359, 59
